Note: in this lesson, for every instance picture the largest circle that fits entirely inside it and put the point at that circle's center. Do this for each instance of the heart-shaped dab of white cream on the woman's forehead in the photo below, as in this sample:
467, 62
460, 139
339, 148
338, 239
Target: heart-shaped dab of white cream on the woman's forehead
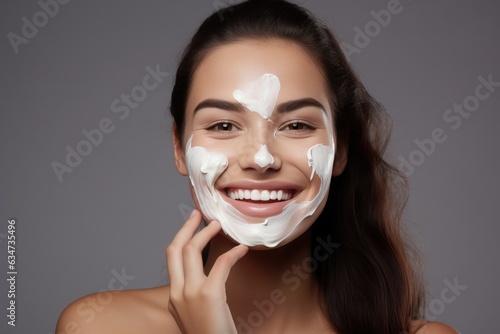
260, 96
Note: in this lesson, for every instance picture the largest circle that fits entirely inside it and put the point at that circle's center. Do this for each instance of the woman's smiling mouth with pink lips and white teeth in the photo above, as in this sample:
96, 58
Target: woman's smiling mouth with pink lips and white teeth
262, 200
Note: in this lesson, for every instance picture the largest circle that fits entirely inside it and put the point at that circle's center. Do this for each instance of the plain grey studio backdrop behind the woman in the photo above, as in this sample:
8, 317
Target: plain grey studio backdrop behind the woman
123, 204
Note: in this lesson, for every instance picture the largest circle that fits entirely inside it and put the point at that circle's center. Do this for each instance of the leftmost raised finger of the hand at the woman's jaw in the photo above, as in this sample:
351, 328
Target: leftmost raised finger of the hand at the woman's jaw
174, 250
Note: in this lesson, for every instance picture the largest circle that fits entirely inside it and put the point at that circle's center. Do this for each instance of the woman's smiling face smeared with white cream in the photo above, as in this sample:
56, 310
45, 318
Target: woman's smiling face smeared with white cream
258, 140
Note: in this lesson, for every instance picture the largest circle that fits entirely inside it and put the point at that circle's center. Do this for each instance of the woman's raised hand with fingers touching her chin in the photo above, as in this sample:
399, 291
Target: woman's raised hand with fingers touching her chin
197, 301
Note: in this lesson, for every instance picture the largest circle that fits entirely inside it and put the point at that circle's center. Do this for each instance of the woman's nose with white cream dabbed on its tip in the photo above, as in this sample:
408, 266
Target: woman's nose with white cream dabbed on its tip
259, 157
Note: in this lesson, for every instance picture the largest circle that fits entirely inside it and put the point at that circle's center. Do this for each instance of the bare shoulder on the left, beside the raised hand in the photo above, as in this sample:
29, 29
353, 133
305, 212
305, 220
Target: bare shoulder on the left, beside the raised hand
125, 311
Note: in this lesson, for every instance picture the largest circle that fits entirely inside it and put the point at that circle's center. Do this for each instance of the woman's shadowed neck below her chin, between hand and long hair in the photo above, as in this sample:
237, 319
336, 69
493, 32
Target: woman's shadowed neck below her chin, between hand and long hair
270, 289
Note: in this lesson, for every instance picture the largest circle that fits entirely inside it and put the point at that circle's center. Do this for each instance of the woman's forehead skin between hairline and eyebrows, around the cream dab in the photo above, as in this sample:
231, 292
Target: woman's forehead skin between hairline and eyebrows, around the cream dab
231, 66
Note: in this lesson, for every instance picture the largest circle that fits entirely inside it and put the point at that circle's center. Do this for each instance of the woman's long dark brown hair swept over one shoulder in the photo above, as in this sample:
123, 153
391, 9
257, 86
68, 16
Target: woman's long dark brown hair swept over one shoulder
368, 285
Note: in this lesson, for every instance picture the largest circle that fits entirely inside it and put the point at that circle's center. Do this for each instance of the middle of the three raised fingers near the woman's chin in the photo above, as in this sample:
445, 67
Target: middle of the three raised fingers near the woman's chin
193, 261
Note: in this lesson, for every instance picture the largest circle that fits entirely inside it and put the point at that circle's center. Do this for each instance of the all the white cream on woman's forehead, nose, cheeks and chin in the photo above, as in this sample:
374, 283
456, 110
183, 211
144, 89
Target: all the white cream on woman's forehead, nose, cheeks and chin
205, 167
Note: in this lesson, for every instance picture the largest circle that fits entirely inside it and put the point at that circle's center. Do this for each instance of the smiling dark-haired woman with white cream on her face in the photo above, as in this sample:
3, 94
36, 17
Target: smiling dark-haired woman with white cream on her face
284, 149
